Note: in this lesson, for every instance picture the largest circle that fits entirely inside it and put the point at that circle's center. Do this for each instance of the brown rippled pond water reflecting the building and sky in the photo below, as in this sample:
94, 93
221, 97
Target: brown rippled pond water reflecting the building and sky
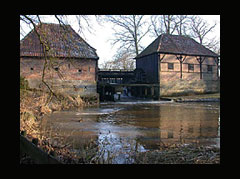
139, 126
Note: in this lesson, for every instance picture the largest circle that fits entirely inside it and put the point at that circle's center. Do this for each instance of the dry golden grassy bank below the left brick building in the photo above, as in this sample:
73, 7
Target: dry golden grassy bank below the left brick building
34, 105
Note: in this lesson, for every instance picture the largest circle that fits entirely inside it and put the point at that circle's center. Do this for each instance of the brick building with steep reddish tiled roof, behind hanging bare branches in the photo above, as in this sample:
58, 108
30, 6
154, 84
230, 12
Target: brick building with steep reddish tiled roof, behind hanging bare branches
71, 63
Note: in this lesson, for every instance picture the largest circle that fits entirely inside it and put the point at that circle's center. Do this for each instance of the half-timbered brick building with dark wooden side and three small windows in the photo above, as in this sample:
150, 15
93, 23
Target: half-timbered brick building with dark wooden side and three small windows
179, 65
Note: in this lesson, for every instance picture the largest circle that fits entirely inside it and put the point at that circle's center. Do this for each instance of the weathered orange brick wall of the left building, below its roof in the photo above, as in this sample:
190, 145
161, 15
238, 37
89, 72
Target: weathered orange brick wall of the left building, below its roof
71, 76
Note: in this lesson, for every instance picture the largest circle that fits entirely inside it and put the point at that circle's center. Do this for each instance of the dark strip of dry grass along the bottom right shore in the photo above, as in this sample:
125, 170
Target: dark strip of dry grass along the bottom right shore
180, 154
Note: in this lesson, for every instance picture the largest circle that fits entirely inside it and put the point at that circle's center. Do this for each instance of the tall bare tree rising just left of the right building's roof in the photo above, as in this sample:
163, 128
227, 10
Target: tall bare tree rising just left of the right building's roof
129, 32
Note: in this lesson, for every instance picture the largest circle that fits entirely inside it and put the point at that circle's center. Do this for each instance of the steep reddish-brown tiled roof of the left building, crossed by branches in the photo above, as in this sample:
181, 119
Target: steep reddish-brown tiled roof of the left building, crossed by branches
62, 40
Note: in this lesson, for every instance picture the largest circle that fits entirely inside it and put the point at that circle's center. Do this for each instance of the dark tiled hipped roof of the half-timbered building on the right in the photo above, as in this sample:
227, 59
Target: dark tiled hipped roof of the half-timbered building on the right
176, 44
